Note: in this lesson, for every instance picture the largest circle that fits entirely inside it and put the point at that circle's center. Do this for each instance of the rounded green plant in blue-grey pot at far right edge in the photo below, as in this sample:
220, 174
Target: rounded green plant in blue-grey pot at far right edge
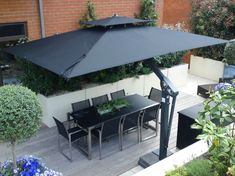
229, 59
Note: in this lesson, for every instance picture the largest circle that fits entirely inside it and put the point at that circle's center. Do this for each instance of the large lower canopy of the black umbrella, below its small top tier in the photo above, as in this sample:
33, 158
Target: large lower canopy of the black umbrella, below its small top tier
88, 50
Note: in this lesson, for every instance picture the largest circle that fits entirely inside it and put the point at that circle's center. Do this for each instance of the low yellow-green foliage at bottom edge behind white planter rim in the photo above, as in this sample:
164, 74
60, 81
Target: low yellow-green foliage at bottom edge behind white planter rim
194, 168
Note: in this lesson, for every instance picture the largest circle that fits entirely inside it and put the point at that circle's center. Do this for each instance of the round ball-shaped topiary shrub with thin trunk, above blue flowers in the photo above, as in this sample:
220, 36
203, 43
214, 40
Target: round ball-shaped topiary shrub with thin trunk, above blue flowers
20, 113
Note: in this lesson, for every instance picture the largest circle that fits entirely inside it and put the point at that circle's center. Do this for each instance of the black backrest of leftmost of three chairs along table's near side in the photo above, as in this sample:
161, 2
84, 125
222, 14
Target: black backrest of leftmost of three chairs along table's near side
111, 127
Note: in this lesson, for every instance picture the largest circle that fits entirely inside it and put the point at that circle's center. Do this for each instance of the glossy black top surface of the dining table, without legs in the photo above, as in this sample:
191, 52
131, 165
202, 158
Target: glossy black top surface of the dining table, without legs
89, 118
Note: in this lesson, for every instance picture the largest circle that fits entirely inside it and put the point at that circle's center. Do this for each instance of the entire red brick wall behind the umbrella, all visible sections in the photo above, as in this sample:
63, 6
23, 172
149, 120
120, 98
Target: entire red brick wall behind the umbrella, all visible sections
63, 15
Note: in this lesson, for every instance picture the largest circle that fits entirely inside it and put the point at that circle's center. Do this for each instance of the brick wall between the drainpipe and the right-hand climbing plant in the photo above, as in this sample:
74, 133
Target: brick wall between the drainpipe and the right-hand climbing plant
62, 16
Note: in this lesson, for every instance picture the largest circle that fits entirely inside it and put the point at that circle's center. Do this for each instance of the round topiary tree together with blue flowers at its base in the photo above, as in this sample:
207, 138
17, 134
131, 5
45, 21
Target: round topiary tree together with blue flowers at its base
20, 119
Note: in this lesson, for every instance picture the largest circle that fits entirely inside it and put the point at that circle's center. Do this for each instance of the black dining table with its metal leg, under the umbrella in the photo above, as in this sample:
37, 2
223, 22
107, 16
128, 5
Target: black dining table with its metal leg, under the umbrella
89, 119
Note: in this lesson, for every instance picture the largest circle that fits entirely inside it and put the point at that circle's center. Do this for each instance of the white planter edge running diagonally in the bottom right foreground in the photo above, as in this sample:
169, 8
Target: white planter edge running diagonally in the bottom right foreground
176, 160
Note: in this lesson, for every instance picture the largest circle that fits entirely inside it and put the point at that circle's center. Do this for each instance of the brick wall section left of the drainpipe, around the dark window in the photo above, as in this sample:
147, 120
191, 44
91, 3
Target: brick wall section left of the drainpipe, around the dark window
21, 11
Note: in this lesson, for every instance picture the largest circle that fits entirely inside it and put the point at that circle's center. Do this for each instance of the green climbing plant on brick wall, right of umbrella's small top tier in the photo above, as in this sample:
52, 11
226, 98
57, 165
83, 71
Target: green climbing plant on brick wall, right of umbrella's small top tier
148, 11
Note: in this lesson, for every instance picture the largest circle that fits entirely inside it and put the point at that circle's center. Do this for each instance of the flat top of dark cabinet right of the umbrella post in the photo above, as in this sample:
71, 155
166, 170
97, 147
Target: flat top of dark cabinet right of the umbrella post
192, 111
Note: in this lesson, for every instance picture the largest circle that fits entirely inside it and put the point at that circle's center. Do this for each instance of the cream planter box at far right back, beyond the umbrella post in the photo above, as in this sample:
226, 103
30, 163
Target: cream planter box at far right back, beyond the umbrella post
206, 68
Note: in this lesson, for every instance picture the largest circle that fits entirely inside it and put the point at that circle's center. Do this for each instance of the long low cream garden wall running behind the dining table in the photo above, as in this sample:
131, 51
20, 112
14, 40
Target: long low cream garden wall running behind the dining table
59, 105
